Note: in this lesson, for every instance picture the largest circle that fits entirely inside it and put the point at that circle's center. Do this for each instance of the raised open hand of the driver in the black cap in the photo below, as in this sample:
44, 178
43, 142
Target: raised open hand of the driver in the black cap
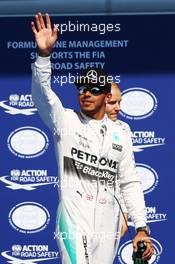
45, 37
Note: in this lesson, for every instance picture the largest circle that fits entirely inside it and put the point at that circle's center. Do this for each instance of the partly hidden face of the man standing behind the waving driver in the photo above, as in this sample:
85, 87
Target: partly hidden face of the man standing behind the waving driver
113, 105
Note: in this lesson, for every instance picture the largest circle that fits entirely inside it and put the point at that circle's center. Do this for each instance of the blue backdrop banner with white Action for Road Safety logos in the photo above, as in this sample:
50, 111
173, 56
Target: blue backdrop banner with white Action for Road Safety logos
138, 53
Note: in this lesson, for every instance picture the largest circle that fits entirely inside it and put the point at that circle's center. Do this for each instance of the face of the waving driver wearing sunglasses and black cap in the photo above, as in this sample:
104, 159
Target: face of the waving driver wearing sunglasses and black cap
93, 105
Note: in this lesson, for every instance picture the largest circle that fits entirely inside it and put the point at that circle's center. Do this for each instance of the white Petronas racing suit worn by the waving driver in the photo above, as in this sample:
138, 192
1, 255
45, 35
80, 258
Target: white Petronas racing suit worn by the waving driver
94, 157
